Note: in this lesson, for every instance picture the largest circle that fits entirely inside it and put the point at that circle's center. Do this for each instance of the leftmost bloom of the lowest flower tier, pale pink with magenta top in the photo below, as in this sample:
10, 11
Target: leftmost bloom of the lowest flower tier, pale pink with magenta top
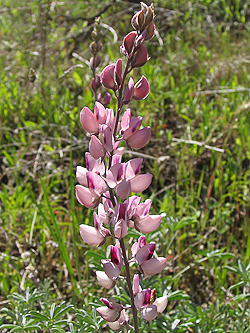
111, 311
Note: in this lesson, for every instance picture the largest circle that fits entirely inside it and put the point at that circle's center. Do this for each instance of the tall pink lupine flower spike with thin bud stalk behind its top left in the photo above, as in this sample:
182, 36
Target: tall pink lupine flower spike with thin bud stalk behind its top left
106, 183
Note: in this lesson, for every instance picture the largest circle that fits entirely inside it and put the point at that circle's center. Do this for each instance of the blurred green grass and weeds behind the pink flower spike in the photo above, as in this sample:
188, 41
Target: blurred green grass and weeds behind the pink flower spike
199, 154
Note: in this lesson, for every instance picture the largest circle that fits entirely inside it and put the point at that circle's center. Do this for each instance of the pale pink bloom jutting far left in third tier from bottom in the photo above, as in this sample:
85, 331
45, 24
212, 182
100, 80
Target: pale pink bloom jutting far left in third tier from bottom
94, 236
